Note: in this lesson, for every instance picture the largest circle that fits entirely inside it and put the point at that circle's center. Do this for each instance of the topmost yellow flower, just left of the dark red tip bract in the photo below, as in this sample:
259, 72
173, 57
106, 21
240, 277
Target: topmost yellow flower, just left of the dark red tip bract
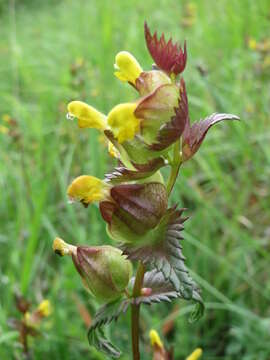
128, 68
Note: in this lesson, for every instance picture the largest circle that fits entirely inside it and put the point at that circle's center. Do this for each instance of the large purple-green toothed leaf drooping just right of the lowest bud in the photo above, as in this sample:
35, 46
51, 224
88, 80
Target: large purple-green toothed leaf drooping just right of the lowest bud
165, 255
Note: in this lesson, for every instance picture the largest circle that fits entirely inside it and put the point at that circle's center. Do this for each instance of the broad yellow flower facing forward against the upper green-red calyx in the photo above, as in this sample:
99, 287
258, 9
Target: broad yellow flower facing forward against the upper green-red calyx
123, 122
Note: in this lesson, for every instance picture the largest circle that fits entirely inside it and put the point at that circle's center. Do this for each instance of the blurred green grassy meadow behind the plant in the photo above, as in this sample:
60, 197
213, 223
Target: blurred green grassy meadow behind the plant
54, 51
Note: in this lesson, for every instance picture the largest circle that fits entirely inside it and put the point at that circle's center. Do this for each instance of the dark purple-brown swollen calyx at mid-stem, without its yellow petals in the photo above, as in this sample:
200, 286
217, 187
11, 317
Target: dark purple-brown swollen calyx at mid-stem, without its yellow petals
134, 210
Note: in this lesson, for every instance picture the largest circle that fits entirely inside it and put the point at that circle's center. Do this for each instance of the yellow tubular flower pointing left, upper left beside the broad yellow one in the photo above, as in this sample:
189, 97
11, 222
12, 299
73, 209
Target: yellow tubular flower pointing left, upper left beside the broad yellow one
88, 117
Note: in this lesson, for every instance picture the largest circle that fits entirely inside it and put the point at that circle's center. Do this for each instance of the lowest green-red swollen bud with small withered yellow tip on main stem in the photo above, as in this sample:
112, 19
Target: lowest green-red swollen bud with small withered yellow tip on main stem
105, 272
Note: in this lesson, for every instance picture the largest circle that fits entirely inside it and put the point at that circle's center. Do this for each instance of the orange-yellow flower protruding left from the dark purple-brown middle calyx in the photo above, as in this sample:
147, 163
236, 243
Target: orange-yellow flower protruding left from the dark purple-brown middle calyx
87, 189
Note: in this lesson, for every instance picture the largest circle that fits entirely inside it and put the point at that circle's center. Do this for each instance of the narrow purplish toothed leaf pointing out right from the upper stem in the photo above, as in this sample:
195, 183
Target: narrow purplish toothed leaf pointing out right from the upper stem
195, 134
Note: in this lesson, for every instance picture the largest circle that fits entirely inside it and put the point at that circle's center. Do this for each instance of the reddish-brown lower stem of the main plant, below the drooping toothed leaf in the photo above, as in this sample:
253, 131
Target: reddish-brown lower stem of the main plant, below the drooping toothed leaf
135, 312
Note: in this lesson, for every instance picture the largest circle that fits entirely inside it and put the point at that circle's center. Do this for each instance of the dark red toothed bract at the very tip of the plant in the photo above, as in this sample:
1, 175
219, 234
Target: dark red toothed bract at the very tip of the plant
168, 56
